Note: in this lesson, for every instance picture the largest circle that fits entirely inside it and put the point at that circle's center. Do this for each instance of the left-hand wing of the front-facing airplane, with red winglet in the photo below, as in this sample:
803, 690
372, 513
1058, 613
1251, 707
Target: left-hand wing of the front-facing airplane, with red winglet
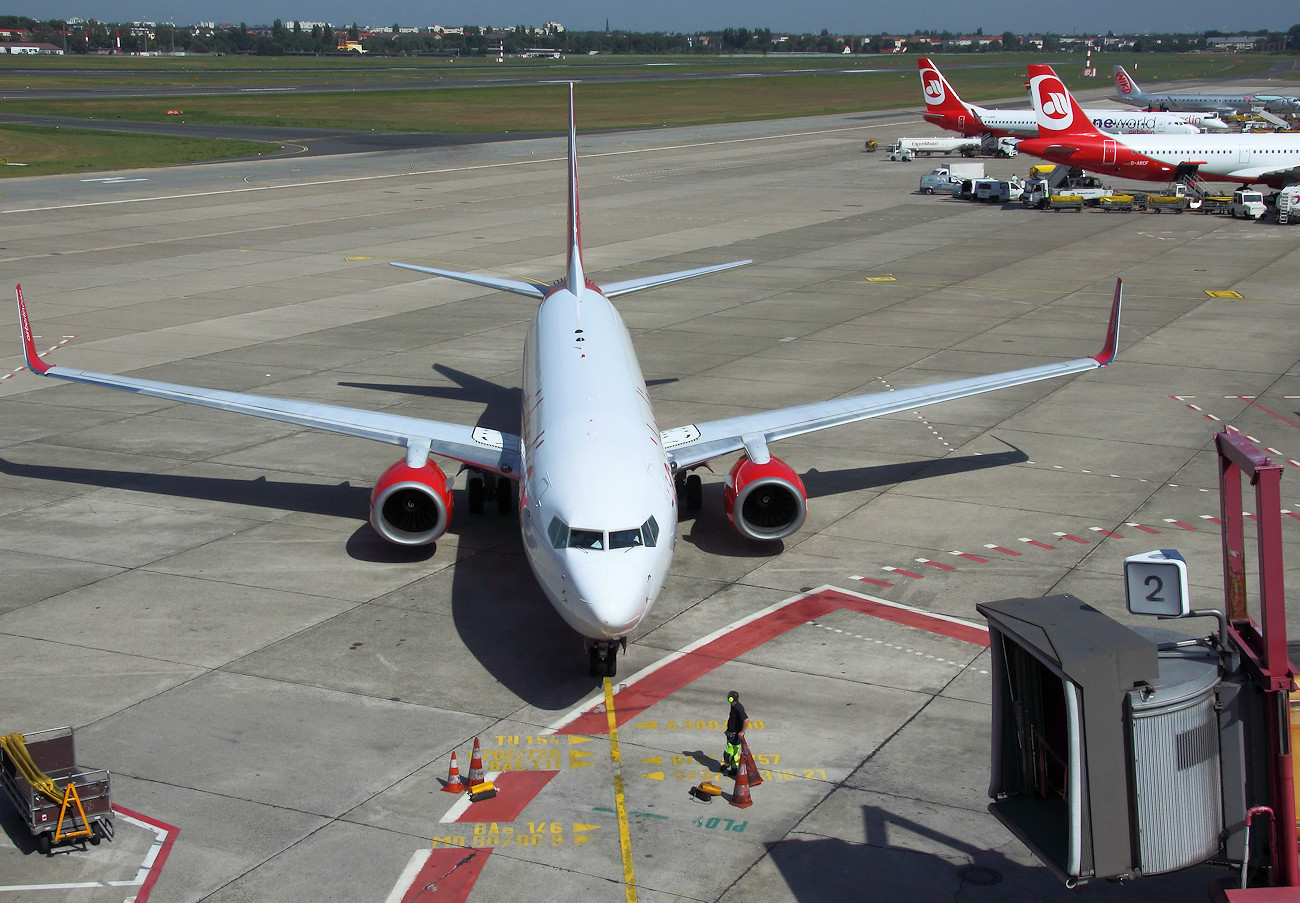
475, 446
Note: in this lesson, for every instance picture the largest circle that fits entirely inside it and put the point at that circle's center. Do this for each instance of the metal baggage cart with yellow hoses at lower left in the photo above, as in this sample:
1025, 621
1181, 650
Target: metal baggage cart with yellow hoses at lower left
57, 798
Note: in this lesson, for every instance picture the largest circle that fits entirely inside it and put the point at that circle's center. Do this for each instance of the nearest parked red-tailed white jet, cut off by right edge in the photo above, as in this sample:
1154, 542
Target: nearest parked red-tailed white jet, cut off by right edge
1068, 137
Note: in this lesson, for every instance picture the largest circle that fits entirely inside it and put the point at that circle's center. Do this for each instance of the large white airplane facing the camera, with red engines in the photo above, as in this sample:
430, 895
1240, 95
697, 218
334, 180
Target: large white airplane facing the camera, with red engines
599, 479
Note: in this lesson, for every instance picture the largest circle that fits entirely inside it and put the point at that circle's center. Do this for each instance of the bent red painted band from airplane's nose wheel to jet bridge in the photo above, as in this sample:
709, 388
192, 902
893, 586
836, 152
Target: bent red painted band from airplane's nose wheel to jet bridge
677, 674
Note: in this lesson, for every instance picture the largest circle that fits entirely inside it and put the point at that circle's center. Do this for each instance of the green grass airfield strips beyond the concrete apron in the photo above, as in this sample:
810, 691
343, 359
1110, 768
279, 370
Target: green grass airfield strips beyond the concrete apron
404, 95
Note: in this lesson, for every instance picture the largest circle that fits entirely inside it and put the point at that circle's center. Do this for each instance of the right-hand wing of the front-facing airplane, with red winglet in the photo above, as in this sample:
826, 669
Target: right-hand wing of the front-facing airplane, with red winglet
696, 444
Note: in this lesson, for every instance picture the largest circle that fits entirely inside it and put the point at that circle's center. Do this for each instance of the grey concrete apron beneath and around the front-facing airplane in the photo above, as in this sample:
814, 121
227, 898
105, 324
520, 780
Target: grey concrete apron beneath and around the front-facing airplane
279, 694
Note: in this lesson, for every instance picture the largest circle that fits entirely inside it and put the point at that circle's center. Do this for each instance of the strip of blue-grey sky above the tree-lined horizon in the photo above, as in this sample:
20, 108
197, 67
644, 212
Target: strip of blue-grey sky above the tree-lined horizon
688, 16
